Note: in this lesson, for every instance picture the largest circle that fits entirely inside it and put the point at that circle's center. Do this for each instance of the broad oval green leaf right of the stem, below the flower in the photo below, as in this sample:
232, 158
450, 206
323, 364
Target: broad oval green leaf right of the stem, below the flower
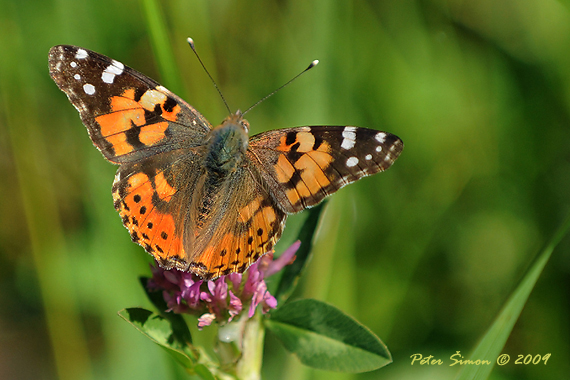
323, 337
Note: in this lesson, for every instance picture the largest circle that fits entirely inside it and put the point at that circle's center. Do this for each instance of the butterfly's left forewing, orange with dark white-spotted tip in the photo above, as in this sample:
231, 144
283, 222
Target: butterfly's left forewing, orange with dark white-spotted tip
128, 115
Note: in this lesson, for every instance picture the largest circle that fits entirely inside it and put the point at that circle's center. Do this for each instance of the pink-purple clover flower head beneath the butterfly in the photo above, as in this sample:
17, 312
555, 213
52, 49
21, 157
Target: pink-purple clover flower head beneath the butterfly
226, 297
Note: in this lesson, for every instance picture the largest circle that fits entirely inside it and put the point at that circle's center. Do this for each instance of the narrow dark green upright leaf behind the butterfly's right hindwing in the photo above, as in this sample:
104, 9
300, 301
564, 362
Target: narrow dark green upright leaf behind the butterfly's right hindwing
292, 272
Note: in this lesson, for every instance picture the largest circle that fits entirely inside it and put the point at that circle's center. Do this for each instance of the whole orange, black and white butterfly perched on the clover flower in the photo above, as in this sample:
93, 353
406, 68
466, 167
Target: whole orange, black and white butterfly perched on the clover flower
204, 199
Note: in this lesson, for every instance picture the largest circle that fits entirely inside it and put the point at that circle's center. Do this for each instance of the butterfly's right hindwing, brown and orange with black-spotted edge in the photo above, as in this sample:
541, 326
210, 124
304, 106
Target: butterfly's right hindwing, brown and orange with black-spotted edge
244, 224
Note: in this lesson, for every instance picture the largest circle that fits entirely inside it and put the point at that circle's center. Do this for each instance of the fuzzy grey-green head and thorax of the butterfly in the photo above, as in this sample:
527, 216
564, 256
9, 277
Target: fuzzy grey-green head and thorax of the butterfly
227, 144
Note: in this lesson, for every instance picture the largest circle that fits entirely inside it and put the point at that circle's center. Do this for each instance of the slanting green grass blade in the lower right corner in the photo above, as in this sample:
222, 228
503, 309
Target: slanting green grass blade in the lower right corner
492, 343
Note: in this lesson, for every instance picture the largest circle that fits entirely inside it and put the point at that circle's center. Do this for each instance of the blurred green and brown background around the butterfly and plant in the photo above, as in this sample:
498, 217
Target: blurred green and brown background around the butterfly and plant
425, 254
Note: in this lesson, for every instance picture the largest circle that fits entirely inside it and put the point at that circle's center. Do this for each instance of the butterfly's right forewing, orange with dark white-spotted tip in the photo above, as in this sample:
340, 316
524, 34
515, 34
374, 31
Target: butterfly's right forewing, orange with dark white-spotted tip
303, 165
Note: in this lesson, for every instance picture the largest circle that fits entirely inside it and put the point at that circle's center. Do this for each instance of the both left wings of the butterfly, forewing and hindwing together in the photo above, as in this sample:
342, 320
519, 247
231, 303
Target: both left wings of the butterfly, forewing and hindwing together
155, 136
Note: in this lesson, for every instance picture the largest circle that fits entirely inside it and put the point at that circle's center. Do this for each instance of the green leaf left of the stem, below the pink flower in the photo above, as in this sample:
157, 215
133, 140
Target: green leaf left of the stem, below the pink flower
160, 331
